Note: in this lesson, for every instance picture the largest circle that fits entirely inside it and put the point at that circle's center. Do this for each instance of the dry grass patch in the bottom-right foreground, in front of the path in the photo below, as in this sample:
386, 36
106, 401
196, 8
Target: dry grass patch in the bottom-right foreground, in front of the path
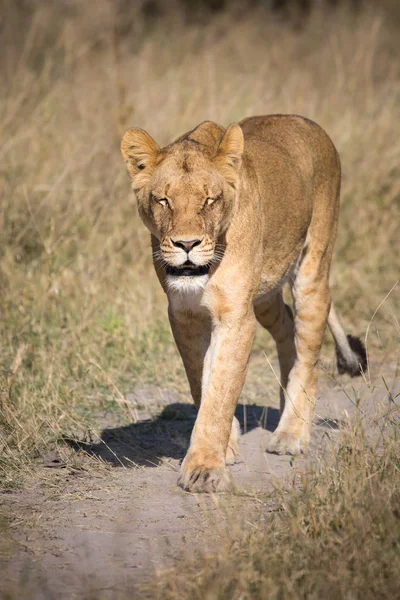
336, 535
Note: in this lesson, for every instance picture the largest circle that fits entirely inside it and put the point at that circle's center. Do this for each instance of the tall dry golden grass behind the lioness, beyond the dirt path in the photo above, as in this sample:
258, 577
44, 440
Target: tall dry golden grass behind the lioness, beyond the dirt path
83, 319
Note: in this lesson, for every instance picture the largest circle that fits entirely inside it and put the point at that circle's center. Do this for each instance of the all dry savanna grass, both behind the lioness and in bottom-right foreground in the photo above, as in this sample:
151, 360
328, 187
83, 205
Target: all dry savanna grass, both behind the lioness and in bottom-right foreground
83, 320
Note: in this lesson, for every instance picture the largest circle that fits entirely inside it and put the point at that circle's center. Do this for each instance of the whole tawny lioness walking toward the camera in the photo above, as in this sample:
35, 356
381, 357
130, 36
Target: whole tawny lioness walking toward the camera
234, 214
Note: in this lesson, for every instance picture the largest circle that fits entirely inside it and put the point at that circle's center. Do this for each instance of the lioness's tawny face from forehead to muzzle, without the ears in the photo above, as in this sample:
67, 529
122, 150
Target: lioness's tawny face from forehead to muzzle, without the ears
187, 203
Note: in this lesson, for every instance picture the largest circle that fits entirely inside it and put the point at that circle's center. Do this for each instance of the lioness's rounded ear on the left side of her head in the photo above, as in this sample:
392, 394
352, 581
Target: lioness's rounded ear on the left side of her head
139, 150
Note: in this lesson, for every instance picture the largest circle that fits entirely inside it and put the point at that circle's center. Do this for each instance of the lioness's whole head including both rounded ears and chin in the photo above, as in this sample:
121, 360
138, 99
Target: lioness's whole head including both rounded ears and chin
186, 195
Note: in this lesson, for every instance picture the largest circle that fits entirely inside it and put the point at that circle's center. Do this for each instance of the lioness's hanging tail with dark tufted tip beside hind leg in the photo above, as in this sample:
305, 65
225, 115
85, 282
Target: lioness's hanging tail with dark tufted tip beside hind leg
351, 356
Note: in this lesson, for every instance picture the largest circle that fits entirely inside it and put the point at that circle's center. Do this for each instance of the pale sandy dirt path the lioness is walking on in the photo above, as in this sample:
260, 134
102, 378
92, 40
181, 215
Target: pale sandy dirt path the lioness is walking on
96, 524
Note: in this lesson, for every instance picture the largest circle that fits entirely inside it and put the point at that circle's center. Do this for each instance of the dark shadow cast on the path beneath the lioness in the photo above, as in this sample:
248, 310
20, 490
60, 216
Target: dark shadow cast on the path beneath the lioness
148, 443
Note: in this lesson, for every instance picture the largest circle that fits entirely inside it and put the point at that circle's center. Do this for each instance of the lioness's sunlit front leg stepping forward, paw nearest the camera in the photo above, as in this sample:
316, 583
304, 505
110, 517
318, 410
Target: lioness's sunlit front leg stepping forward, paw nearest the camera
203, 469
